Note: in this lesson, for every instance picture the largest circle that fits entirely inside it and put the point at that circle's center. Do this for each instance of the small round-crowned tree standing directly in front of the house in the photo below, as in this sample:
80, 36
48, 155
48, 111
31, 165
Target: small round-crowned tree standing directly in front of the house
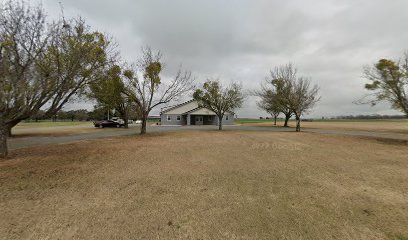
219, 99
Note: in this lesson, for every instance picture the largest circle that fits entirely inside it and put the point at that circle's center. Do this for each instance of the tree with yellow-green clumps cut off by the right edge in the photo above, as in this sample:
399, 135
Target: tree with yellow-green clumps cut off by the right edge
388, 82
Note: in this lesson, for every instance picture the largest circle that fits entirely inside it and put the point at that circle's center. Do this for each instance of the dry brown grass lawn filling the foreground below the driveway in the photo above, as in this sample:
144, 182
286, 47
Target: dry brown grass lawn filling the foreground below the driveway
208, 185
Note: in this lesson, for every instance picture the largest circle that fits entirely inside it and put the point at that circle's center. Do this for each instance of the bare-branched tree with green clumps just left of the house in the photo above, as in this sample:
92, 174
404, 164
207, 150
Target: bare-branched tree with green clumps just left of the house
150, 91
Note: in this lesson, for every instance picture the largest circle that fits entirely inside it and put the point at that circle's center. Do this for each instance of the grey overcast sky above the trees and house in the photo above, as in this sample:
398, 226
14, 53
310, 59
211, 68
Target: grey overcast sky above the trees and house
328, 40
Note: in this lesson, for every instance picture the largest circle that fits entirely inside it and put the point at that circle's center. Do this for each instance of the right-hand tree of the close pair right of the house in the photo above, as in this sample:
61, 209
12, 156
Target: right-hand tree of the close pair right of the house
303, 97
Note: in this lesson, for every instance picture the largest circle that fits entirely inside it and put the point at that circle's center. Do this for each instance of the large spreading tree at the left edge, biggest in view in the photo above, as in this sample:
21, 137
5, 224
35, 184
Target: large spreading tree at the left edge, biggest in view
43, 66
